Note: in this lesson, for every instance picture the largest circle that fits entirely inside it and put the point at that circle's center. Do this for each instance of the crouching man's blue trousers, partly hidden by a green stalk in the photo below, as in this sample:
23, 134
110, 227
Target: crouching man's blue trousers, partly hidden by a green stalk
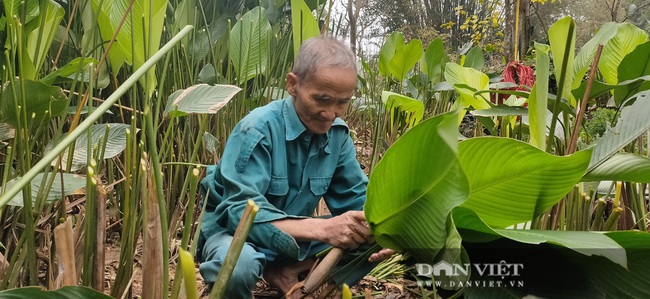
251, 263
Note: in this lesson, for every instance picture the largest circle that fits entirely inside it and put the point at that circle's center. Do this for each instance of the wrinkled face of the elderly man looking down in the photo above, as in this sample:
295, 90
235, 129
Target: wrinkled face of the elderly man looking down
323, 98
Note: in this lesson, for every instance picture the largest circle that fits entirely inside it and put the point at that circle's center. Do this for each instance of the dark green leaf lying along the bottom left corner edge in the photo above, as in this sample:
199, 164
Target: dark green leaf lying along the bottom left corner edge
67, 292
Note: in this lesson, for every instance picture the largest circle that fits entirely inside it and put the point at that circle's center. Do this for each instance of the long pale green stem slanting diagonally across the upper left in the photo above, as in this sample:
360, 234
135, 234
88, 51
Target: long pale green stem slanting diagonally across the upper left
98, 113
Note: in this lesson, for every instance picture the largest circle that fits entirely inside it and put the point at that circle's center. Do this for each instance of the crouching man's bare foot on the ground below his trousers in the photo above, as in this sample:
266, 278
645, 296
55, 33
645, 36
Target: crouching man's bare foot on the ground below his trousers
286, 276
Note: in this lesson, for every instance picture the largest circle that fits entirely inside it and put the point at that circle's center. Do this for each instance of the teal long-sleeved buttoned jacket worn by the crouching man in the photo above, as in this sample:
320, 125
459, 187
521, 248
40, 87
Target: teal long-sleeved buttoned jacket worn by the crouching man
271, 158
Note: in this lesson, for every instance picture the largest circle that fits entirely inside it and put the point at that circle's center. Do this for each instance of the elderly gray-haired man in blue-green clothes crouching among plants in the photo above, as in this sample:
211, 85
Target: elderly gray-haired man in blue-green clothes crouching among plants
285, 156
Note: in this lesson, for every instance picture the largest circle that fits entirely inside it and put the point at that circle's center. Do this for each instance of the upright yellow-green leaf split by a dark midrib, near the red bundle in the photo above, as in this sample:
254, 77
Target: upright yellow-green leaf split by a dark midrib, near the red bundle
562, 39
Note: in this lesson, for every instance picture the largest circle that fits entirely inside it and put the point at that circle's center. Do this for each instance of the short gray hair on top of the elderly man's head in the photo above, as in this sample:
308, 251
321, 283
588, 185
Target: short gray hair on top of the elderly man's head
323, 51
